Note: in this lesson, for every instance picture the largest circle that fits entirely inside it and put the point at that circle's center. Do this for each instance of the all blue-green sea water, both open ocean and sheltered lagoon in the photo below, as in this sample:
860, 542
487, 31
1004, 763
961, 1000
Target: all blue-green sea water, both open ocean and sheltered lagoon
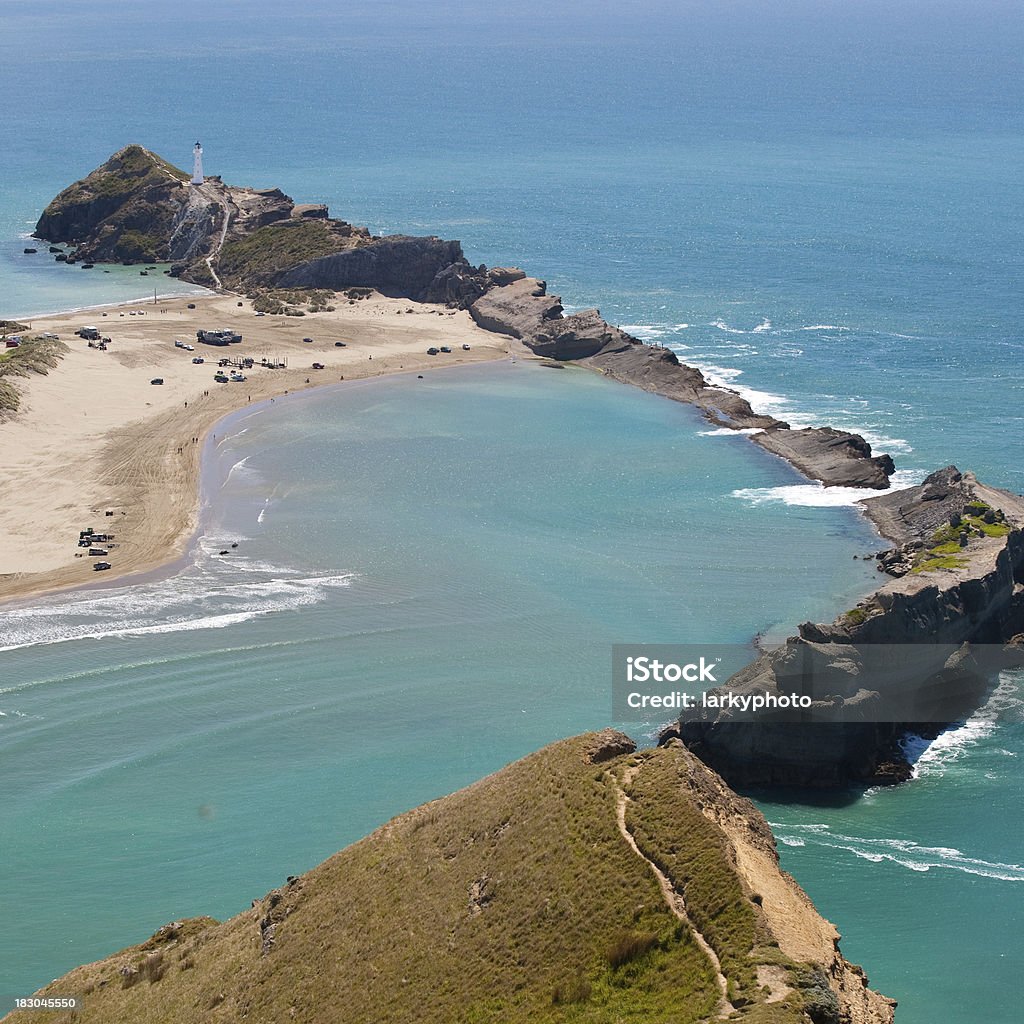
820, 206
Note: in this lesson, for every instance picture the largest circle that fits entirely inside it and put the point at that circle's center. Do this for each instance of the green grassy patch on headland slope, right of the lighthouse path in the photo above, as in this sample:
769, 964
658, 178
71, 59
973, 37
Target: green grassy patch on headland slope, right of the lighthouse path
261, 258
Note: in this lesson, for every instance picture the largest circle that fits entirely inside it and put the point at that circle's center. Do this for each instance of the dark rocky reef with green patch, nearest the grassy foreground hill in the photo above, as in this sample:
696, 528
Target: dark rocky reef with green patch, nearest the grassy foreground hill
918, 655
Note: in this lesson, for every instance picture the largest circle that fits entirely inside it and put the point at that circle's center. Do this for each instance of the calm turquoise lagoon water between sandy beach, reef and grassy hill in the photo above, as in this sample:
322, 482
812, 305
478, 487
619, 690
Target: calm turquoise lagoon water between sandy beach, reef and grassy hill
429, 580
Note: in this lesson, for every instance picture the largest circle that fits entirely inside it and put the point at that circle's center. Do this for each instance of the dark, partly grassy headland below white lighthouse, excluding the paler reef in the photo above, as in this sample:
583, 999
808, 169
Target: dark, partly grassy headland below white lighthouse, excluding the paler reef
137, 206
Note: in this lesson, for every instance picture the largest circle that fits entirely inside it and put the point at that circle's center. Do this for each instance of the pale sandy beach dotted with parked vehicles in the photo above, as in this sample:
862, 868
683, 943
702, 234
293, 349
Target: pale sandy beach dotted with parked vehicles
95, 436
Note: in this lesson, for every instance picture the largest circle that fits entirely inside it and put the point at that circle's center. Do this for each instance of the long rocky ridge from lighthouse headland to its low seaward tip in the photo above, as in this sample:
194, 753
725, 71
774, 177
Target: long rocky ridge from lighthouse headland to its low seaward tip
138, 206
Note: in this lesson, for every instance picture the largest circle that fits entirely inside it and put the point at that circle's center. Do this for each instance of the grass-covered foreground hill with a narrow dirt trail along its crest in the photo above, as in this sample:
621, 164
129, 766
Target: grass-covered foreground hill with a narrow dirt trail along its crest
586, 883
